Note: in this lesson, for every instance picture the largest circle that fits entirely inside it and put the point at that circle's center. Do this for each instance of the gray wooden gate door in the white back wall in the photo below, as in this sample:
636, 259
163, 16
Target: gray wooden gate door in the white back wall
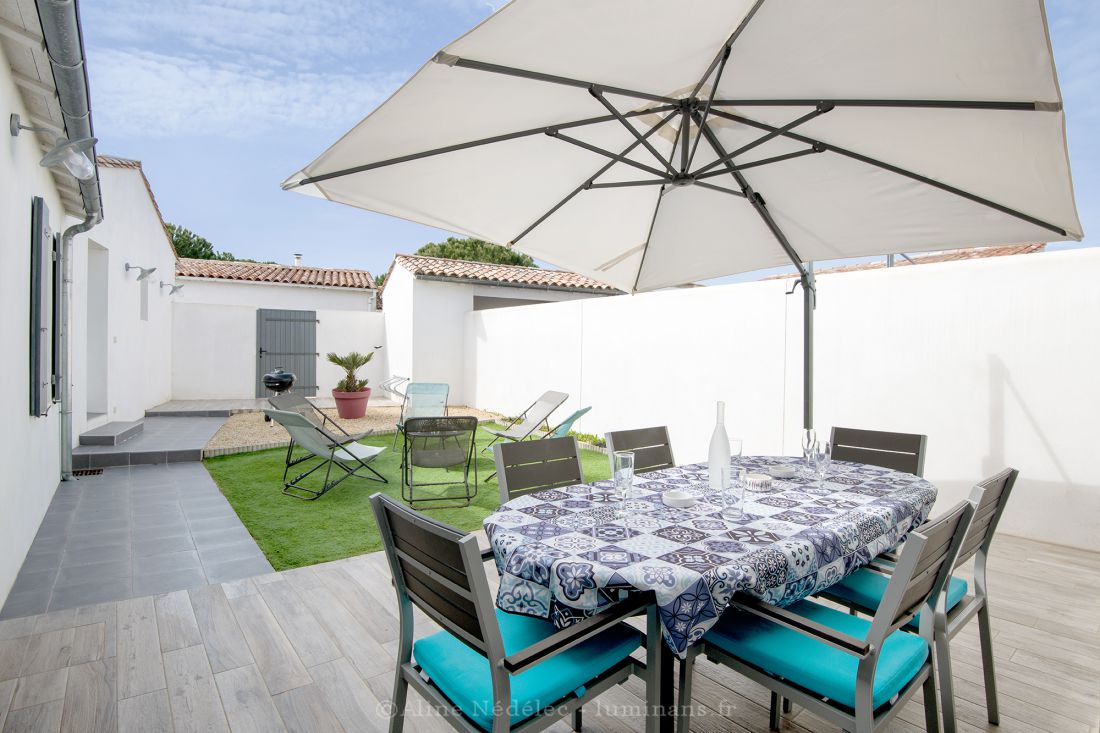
288, 340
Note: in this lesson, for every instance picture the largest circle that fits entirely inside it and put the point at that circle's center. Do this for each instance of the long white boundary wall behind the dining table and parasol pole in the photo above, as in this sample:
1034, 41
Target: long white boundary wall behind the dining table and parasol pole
995, 360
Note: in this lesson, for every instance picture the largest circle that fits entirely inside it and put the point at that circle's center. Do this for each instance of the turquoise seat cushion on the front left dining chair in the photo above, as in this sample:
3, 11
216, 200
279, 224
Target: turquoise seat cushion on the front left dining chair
464, 675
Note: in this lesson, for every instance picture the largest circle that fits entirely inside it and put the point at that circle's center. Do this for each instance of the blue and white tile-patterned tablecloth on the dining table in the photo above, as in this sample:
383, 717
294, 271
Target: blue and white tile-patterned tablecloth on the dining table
566, 553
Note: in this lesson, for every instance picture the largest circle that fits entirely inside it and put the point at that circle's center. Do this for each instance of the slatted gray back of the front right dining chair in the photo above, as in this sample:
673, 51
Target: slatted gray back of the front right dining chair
922, 573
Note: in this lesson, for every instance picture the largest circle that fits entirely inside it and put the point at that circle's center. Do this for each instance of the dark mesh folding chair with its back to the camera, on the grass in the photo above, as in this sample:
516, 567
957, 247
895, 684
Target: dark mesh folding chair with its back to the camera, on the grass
435, 444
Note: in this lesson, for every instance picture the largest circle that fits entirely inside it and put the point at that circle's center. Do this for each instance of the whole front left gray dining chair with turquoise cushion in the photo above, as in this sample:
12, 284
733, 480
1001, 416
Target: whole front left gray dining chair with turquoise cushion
487, 670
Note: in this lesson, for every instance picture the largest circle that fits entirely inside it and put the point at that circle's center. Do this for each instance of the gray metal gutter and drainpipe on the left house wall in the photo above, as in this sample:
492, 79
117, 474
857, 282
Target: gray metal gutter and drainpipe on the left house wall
61, 29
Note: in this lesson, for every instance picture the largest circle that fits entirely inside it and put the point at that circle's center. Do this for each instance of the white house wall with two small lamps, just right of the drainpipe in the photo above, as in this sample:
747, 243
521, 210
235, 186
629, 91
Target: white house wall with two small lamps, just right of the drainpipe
139, 352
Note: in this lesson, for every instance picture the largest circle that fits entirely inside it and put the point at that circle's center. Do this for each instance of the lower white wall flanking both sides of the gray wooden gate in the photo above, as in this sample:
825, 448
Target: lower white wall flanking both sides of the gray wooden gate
215, 349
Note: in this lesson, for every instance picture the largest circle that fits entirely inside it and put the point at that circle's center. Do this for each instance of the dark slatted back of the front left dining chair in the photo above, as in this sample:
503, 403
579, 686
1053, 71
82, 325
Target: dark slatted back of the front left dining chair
438, 570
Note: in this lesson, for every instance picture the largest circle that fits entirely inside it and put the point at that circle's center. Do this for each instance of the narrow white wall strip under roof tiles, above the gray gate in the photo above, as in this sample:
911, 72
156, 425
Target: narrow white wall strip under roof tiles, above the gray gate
267, 296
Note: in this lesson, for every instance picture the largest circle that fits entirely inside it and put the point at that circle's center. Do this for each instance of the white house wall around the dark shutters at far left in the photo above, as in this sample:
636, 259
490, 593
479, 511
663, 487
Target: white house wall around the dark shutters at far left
30, 450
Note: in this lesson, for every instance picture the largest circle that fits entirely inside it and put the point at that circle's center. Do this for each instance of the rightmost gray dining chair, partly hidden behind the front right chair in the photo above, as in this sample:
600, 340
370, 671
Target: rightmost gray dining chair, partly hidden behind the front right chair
865, 589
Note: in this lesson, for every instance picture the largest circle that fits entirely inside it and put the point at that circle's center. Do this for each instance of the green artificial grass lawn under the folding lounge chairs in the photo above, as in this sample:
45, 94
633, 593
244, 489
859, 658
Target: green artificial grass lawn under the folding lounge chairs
293, 533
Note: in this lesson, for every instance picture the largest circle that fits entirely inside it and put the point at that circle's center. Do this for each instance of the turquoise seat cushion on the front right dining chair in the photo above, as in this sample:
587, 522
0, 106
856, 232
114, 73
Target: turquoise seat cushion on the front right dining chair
815, 665
